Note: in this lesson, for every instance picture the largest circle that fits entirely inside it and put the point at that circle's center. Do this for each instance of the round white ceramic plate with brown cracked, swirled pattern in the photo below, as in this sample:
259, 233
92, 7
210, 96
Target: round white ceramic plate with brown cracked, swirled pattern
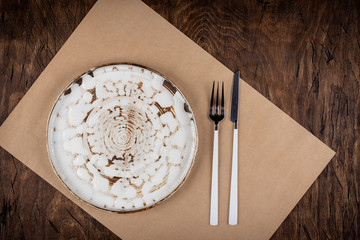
122, 137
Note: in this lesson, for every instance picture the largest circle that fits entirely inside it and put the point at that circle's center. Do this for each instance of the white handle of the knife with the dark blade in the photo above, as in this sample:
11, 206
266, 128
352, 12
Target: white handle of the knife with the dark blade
233, 209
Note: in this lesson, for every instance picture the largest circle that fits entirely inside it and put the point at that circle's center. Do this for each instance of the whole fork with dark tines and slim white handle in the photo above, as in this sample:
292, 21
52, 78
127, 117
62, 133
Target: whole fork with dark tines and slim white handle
216, 117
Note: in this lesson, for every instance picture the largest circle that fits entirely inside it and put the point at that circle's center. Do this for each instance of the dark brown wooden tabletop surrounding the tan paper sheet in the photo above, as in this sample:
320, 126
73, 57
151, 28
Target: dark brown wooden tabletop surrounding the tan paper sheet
302, 55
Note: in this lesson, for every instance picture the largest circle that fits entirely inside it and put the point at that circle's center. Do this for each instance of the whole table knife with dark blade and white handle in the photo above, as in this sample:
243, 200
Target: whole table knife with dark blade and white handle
233, 208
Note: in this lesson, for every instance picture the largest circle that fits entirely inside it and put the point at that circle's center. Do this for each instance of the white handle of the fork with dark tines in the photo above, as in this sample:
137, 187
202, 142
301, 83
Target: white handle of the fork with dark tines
214, 181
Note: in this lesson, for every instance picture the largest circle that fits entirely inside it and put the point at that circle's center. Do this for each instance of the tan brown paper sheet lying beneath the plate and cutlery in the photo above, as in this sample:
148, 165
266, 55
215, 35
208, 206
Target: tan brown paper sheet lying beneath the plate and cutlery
278, 159
